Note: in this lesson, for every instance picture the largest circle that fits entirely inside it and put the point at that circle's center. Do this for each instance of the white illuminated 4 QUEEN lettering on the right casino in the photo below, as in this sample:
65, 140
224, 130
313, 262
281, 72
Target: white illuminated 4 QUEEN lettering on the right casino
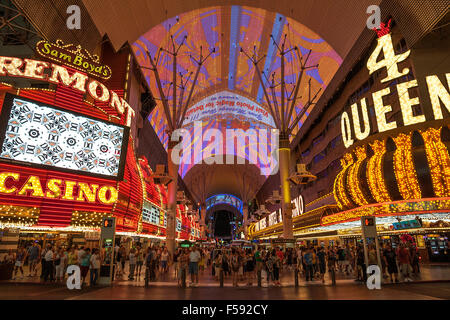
438, 94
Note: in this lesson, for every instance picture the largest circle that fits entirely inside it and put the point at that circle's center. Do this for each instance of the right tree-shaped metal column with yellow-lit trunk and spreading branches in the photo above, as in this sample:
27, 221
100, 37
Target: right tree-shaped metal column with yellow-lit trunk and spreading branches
281, 113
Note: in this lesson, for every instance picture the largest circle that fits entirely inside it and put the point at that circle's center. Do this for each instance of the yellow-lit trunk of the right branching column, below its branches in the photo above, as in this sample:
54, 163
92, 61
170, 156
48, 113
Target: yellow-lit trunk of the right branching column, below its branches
284, 158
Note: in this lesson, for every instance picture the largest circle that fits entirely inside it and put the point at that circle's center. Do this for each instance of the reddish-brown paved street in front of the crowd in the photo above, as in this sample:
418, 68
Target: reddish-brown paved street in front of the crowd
432, 283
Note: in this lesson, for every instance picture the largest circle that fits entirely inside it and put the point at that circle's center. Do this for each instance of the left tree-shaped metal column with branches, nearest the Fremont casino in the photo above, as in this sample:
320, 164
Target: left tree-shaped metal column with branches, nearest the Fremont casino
174, 121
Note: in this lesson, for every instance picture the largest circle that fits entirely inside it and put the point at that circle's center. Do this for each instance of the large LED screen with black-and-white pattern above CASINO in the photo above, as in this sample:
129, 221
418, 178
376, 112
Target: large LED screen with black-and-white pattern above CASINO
46, 136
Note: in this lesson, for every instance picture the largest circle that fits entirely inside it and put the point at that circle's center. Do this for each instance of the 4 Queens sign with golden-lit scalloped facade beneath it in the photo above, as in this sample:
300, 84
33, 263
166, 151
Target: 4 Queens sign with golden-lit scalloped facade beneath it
404, 166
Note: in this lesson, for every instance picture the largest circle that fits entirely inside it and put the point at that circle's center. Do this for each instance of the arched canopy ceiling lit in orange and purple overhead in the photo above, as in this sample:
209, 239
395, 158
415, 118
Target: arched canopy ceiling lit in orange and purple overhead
227, 29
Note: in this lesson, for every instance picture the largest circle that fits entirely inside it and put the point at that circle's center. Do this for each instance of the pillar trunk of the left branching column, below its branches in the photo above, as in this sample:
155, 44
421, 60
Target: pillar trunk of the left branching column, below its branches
172, 199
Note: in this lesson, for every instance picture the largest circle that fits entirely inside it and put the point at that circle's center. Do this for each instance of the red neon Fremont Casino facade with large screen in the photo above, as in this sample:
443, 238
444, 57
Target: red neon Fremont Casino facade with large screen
68, 160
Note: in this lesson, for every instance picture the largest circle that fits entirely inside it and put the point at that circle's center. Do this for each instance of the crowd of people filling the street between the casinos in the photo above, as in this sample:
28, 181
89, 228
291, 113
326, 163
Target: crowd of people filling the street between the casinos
238, 264
